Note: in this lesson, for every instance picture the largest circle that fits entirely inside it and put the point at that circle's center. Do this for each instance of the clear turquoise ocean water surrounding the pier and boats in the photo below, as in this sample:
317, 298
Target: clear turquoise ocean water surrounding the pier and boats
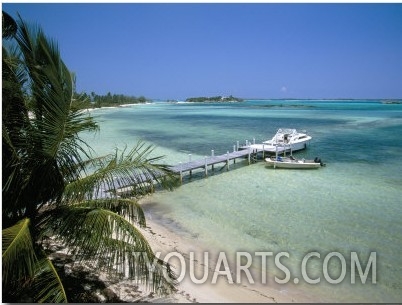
352, 204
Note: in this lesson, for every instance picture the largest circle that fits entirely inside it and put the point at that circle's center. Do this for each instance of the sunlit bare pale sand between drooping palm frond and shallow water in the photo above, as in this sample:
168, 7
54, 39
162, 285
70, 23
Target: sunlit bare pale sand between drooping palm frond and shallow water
166, 241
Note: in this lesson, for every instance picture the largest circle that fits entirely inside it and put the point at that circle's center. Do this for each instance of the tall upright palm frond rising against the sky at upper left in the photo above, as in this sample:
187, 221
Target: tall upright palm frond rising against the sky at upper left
52, 89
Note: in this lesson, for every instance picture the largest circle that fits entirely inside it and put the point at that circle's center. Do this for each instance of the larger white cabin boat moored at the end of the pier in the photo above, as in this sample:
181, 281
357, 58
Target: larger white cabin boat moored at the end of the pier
285, 140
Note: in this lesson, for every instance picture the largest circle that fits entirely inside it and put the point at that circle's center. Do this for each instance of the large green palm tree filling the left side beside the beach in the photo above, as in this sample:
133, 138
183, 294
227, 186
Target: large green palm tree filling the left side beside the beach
54, 187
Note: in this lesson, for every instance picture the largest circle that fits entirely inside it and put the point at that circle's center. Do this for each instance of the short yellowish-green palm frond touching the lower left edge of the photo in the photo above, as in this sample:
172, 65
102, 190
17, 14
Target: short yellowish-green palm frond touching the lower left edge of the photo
18, 257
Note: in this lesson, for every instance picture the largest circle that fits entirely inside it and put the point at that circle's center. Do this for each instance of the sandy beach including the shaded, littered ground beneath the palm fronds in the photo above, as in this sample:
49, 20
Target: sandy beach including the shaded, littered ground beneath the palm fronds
167, 240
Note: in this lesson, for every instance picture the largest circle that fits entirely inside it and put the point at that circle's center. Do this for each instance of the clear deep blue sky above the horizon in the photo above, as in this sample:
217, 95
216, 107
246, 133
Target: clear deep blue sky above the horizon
261, 50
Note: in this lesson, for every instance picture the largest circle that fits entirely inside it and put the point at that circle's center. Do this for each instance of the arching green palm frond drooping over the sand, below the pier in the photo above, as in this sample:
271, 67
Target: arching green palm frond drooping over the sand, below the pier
111, 242
